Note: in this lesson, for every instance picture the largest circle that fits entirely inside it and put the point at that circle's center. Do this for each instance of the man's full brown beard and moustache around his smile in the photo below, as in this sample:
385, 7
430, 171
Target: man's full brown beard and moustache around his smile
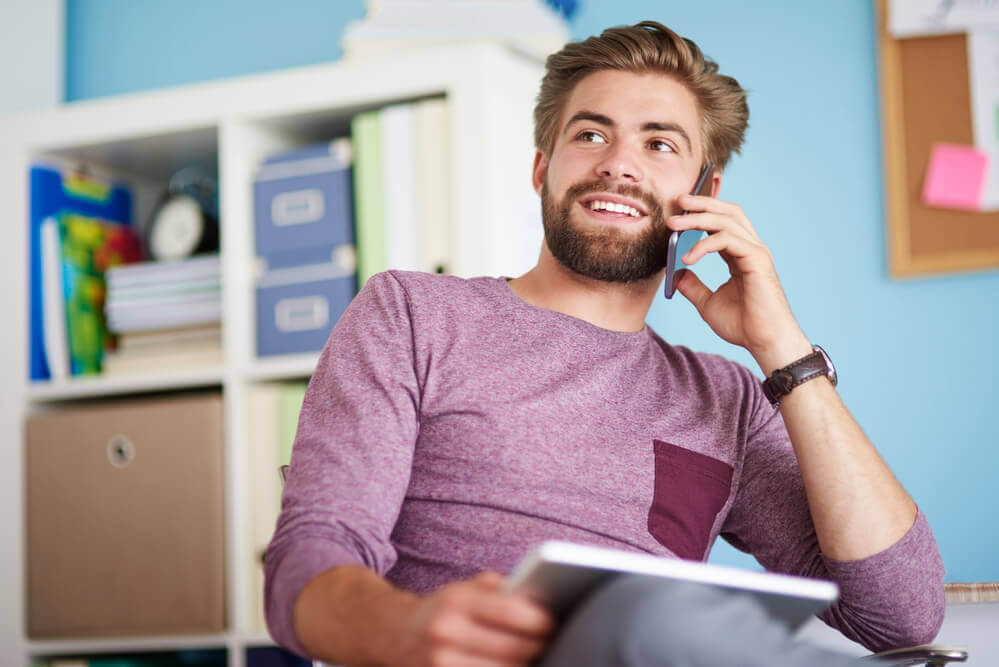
605, 252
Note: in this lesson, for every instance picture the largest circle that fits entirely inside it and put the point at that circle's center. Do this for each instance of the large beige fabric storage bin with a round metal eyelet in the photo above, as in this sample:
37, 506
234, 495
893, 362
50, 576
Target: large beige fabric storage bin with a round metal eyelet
124, 518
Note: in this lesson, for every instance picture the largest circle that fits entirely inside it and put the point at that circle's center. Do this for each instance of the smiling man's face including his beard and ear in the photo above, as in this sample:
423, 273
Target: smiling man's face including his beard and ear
628, 145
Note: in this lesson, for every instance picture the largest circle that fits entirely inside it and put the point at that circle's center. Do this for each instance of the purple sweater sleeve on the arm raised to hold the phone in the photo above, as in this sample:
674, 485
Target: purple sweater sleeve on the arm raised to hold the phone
888, 600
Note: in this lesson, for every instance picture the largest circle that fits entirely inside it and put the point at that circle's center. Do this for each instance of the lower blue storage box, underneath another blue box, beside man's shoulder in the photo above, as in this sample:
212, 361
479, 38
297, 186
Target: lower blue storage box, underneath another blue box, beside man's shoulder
298, 306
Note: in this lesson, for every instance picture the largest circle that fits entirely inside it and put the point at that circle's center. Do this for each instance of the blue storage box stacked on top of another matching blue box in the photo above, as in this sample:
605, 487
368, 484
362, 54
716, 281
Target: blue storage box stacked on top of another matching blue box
305, 198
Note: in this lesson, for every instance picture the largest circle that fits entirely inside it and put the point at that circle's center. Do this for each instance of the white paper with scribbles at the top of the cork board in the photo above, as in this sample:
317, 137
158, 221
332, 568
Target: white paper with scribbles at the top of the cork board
918, 18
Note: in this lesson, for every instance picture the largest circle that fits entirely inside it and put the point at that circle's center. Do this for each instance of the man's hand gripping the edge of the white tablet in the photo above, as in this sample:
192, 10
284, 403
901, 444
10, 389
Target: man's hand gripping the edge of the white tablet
472, 623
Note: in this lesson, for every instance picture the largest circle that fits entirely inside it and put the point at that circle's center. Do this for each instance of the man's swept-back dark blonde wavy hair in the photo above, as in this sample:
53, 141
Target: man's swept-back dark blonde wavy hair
646, 47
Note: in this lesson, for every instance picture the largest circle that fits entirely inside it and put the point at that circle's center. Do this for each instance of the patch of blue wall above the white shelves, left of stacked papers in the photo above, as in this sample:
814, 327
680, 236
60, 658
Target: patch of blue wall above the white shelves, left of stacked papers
121, 46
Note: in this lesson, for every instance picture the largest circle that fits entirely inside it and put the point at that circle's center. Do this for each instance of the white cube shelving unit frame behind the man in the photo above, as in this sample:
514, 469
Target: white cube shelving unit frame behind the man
230, 126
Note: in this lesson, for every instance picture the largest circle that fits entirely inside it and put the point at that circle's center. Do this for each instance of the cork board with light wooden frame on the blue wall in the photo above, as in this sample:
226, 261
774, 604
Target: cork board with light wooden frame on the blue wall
925, 98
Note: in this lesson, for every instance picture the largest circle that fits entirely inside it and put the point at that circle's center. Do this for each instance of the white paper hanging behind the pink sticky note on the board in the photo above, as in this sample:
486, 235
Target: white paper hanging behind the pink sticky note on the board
983, 74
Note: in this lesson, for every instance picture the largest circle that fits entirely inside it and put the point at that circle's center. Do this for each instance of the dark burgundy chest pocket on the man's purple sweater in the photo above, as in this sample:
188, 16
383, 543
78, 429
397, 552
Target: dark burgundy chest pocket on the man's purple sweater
689, 491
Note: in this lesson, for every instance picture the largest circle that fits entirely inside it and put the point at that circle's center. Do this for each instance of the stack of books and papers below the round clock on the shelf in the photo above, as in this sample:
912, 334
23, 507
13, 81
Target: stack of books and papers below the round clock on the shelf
165, 314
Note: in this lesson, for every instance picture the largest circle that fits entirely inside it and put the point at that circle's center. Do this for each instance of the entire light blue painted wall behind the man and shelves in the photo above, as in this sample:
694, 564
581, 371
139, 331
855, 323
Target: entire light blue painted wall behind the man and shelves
916, 357
